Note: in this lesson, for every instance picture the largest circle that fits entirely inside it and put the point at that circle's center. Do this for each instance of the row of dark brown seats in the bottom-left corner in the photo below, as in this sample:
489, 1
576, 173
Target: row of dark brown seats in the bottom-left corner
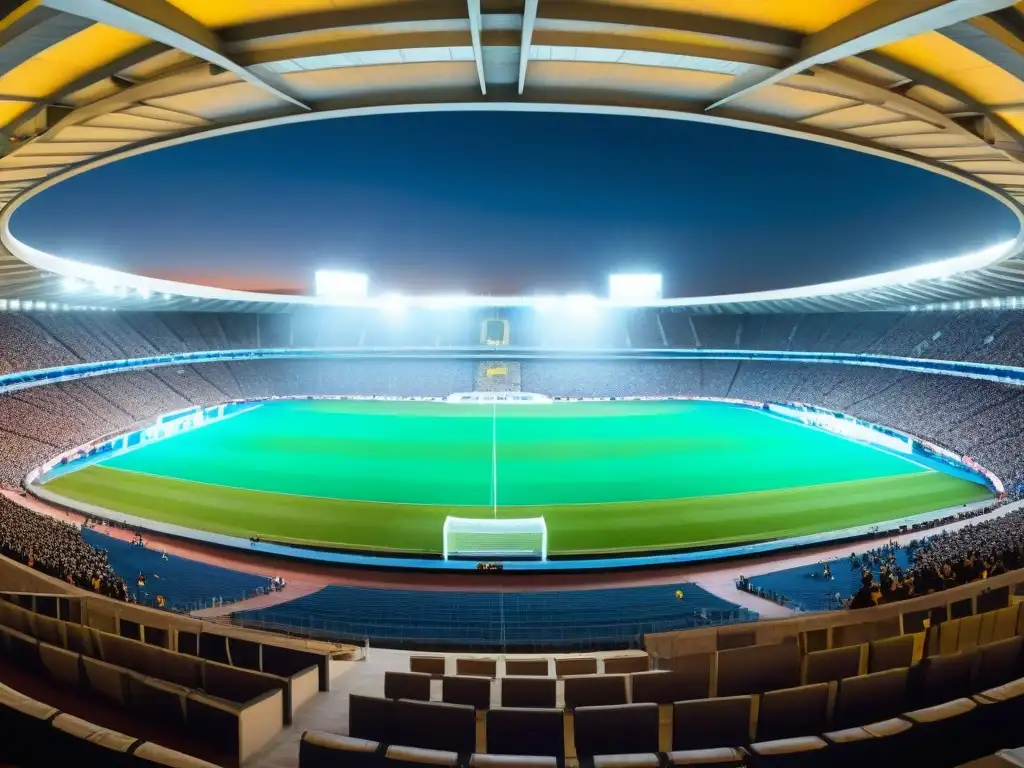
48, 737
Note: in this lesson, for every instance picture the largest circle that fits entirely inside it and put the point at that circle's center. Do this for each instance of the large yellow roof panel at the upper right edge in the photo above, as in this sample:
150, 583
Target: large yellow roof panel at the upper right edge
938, 56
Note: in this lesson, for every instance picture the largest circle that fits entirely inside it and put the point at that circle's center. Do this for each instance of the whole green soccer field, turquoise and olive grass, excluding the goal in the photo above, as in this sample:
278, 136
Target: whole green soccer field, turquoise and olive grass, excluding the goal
607, 477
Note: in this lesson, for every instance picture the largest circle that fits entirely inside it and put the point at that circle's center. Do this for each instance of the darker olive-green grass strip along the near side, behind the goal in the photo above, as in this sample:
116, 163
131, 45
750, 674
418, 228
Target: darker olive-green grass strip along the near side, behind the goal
576, 529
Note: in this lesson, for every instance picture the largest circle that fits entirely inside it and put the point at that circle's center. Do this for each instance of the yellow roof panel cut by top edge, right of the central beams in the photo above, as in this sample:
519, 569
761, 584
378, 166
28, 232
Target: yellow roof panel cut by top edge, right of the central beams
799, 16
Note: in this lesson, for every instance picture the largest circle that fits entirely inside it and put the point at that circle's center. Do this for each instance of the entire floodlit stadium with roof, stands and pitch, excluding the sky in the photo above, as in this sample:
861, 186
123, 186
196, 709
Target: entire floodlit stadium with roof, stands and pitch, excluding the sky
627, 528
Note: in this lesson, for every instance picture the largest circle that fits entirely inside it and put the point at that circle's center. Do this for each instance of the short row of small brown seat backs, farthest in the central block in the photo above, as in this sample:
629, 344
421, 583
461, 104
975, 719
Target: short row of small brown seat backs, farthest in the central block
564, 667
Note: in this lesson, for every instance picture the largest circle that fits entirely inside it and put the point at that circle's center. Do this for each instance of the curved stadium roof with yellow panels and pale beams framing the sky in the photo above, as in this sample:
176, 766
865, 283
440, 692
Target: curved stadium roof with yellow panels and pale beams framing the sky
938, 84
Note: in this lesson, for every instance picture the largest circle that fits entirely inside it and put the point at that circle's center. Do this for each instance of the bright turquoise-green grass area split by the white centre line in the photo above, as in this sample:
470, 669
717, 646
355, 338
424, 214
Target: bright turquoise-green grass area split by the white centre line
441, 454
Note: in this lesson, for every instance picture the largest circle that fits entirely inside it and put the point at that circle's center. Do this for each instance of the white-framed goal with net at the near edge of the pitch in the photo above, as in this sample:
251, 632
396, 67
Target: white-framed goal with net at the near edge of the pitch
482, 538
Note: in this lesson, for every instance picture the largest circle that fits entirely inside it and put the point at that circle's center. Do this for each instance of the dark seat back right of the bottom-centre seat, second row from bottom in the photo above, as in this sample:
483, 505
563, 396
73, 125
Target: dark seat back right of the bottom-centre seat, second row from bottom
616, 731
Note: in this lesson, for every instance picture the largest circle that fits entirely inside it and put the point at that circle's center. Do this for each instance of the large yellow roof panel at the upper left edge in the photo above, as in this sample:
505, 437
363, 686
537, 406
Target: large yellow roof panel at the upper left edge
64, 63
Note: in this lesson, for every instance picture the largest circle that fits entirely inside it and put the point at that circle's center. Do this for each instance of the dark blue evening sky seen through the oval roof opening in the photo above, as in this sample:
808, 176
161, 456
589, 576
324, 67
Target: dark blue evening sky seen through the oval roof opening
492, 202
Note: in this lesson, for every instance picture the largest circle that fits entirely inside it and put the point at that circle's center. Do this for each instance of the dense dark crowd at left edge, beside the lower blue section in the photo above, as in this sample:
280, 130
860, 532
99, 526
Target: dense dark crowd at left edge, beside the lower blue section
57, 549
